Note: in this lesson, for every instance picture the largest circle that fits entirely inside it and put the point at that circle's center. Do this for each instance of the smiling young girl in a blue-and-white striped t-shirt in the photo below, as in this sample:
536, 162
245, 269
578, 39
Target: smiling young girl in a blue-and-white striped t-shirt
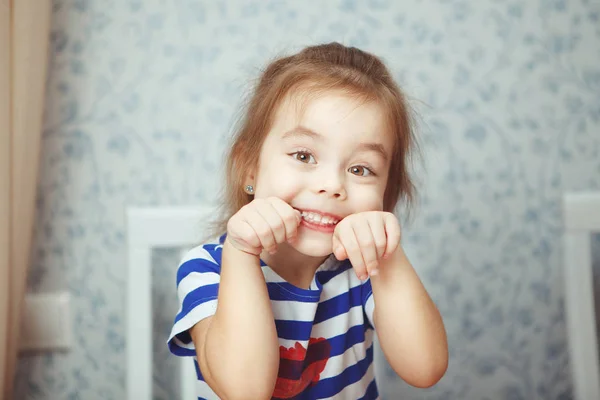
284, 304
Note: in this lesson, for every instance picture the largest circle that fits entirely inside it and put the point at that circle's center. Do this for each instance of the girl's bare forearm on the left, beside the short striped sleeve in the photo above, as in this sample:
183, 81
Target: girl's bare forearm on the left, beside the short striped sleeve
241, 342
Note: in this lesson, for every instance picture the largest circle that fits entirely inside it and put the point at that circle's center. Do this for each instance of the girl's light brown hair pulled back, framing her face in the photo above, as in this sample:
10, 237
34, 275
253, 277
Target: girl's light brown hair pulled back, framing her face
319, 68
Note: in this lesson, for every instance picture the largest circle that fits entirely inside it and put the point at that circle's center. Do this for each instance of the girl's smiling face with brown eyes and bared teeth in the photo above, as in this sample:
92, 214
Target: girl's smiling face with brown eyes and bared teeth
329, 161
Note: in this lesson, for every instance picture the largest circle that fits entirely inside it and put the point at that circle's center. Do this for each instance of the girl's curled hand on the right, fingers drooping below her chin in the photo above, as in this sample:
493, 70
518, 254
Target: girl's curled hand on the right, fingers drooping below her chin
366, 238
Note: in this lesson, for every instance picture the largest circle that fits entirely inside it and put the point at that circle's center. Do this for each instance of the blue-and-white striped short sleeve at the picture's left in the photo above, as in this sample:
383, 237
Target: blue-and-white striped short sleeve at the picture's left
198, 278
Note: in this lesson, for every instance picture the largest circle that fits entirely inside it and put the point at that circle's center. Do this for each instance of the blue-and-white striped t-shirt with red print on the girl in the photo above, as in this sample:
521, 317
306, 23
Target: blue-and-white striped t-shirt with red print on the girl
325, 332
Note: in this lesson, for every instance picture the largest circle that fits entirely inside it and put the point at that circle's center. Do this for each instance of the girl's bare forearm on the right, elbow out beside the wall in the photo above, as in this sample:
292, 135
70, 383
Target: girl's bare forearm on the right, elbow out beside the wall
409, 326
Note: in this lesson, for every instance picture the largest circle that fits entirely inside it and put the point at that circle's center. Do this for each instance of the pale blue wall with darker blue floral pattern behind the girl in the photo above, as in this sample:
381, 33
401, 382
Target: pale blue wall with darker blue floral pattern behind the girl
141, 98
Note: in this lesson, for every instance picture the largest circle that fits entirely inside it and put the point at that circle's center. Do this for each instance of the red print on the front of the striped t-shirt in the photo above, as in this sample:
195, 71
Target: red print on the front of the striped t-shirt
300, 368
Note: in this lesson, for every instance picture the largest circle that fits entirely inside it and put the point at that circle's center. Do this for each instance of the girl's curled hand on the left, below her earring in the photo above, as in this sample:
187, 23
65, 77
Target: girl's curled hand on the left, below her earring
263, 224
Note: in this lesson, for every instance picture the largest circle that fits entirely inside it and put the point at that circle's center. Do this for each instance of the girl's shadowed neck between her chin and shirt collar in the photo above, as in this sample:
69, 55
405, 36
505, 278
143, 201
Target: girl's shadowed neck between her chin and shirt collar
296, 268
